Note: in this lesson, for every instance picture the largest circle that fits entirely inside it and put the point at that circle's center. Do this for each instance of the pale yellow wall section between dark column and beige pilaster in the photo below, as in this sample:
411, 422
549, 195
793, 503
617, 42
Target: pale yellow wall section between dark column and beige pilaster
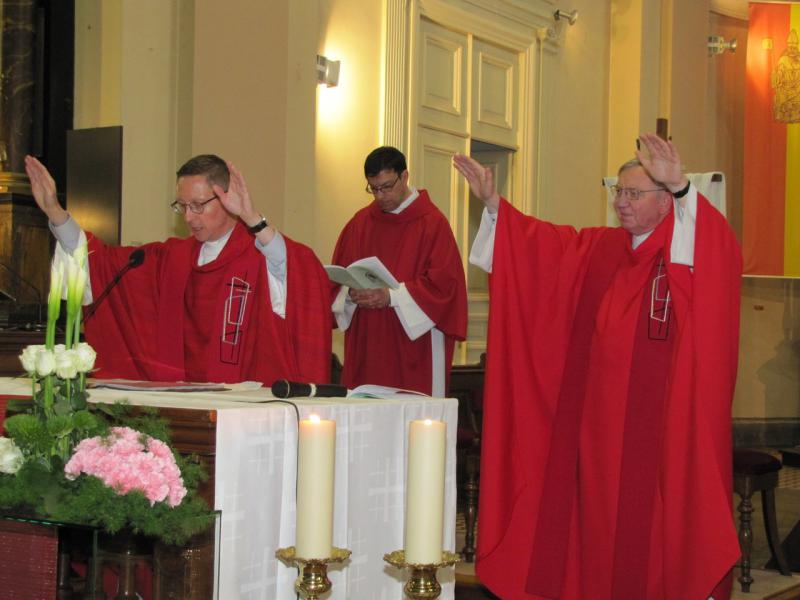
126, 74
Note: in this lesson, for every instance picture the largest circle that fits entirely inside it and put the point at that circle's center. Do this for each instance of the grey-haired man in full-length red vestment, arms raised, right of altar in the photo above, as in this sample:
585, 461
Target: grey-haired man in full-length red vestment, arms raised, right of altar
611, 363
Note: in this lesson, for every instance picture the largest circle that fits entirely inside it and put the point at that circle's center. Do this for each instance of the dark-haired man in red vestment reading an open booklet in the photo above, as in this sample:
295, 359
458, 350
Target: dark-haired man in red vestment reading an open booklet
401, 337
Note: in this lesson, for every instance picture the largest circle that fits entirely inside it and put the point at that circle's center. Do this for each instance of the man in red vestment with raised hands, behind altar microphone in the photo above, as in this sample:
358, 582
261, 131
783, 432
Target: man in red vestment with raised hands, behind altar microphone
235, 301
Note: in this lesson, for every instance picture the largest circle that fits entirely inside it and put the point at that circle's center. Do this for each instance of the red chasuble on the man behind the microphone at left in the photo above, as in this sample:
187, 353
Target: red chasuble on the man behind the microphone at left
171, 320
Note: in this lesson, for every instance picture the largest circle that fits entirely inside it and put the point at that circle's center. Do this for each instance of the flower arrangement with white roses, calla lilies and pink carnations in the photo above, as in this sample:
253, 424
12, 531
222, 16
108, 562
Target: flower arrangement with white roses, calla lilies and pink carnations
70, 461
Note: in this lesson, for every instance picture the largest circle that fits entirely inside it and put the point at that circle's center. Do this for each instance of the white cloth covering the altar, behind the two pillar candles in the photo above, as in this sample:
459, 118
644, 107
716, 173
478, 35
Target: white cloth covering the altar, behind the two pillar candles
255, 471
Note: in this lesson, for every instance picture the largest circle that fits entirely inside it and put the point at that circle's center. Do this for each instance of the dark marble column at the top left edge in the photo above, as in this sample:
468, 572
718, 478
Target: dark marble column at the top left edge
17, 84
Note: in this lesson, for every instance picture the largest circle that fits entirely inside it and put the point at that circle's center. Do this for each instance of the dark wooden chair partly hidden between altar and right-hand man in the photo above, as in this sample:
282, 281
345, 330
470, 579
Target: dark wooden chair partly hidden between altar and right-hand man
466, 384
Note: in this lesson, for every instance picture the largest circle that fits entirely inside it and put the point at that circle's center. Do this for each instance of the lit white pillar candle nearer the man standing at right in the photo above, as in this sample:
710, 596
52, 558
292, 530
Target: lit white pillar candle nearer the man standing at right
425, 492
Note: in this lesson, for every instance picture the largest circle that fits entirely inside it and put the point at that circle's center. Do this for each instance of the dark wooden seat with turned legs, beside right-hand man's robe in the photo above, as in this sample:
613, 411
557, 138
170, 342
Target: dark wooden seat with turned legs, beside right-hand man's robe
757, 471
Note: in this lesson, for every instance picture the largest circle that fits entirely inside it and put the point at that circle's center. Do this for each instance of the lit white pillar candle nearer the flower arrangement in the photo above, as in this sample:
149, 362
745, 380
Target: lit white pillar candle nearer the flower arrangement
317, 448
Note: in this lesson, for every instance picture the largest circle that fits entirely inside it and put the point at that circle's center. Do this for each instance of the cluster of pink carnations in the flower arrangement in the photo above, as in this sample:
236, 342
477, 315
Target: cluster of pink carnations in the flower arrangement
127, 460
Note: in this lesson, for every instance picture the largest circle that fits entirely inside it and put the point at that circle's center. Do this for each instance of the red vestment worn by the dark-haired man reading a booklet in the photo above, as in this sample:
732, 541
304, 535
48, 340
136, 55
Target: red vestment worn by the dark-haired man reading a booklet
418, 247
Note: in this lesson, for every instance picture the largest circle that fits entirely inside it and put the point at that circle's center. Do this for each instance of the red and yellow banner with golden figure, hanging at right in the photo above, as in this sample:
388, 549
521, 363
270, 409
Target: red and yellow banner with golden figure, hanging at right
771, 199
